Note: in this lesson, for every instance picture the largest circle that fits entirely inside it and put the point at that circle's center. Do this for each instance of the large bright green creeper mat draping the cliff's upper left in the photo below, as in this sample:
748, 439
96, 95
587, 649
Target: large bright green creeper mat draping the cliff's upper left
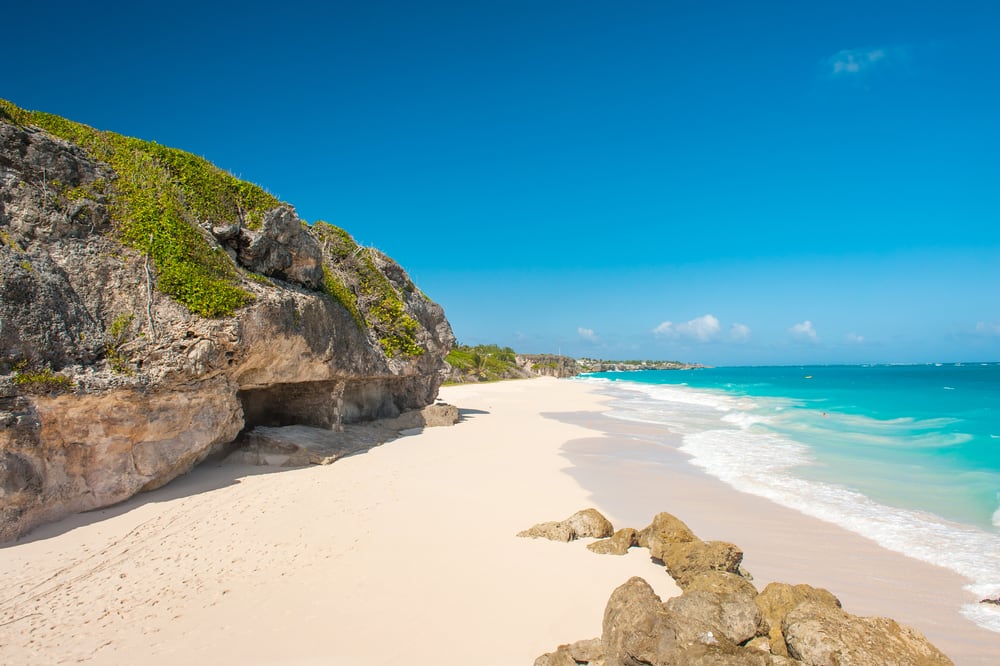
158, 199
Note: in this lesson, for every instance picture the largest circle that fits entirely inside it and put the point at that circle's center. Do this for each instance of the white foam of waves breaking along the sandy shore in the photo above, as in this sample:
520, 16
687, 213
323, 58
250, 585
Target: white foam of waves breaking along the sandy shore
737, 440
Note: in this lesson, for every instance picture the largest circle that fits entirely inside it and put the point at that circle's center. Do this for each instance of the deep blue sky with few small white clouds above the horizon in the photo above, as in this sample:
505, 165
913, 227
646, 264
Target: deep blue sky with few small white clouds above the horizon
720, 182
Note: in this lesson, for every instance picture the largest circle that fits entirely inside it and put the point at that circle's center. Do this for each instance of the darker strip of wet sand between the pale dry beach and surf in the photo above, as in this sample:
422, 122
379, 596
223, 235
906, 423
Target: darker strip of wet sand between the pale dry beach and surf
632, 470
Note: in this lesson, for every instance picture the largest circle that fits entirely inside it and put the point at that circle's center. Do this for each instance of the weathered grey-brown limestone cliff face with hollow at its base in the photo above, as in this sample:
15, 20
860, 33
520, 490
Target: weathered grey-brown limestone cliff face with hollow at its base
108, 386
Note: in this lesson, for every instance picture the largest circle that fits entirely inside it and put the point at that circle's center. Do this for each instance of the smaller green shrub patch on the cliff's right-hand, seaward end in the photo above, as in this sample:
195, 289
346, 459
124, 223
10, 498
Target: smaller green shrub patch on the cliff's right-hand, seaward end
362, 287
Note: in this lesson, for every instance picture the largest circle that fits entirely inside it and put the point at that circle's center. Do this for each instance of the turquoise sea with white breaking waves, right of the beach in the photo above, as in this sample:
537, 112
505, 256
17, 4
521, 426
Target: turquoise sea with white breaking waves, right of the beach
906, 455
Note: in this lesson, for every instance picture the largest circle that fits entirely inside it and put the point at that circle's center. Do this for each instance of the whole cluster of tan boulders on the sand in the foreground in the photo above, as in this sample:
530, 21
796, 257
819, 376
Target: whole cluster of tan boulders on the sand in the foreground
720, 618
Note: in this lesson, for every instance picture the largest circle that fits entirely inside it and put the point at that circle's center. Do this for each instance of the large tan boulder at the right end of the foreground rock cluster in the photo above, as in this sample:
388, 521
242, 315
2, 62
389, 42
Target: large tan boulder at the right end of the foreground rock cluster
817, 633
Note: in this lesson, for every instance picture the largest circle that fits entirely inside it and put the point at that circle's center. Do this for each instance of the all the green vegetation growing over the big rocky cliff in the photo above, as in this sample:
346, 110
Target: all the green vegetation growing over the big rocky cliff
161, 201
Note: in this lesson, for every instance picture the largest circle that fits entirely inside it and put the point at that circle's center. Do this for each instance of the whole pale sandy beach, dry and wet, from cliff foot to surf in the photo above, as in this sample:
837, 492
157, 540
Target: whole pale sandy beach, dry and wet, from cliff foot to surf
407, 553
